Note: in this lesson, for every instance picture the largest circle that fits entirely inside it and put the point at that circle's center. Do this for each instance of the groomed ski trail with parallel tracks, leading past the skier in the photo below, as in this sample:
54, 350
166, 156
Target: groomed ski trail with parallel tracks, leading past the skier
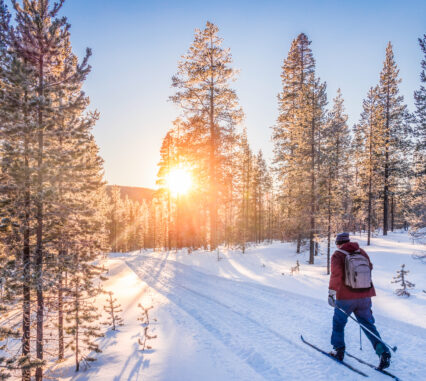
260, 325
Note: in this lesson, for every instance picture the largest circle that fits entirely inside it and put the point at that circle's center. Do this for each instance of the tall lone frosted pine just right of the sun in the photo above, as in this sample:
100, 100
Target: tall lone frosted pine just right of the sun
208, 102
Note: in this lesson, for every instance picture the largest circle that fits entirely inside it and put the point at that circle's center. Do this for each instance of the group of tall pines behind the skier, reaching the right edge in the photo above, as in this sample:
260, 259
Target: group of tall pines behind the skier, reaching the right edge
334, 178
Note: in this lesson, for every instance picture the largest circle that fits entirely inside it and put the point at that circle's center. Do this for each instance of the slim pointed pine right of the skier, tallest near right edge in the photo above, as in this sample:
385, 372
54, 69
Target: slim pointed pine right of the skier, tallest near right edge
395, 132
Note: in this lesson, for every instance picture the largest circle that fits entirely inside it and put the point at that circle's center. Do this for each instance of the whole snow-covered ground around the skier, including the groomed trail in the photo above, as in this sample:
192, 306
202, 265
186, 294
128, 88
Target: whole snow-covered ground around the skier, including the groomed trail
240, 318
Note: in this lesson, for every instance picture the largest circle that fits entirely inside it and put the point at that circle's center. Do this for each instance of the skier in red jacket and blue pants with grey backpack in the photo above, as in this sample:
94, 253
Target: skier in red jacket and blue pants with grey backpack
351, 290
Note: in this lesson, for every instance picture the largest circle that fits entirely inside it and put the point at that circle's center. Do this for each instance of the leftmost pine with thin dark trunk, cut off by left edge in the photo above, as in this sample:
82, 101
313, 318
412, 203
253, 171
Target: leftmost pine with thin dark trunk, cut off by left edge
17, 154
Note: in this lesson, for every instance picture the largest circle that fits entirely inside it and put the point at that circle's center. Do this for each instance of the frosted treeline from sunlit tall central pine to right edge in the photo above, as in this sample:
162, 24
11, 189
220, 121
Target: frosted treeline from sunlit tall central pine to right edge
326, 176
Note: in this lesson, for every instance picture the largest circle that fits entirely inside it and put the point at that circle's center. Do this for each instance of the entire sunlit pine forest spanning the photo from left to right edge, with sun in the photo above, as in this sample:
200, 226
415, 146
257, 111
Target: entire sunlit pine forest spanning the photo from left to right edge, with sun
58, 219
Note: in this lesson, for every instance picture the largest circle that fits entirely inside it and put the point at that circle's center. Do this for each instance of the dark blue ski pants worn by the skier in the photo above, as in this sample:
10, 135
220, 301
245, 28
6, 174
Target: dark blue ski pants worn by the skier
362, 310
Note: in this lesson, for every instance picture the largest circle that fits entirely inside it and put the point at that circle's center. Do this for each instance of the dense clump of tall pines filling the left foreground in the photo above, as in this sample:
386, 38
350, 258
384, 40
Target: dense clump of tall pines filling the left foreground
52, 194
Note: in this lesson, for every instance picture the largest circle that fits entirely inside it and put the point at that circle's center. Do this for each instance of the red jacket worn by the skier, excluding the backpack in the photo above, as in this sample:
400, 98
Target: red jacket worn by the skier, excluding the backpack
337, 277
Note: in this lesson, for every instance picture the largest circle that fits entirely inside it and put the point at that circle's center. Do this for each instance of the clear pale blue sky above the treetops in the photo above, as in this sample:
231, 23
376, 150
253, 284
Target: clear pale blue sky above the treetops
136, 45
